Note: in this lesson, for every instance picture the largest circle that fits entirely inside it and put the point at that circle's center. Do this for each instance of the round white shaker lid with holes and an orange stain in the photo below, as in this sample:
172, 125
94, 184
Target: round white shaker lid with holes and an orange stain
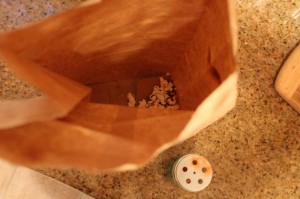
192, 172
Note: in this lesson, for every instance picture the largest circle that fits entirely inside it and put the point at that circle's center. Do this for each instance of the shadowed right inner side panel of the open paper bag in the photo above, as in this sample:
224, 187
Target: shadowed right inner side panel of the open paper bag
209, 50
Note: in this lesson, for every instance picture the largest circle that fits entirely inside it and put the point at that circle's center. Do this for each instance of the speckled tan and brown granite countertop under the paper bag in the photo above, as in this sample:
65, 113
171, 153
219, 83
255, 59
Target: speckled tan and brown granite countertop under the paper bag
254, 150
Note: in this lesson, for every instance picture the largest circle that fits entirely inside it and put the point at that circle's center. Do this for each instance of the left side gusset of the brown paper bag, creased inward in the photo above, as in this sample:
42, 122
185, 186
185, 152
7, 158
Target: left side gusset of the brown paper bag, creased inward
61, 94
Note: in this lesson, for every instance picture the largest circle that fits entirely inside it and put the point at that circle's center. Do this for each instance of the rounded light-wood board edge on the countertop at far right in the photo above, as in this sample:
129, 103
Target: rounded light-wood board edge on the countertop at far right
288, 80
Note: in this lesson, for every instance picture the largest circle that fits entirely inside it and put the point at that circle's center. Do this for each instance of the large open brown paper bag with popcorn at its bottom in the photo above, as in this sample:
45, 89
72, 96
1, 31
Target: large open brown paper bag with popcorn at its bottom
105, 50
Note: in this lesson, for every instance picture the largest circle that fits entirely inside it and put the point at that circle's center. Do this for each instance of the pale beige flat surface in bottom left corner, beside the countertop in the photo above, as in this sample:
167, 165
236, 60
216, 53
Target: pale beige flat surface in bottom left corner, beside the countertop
19, 182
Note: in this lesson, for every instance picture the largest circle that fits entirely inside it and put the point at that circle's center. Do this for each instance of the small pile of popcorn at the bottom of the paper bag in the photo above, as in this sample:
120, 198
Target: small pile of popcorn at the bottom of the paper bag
162, 97
